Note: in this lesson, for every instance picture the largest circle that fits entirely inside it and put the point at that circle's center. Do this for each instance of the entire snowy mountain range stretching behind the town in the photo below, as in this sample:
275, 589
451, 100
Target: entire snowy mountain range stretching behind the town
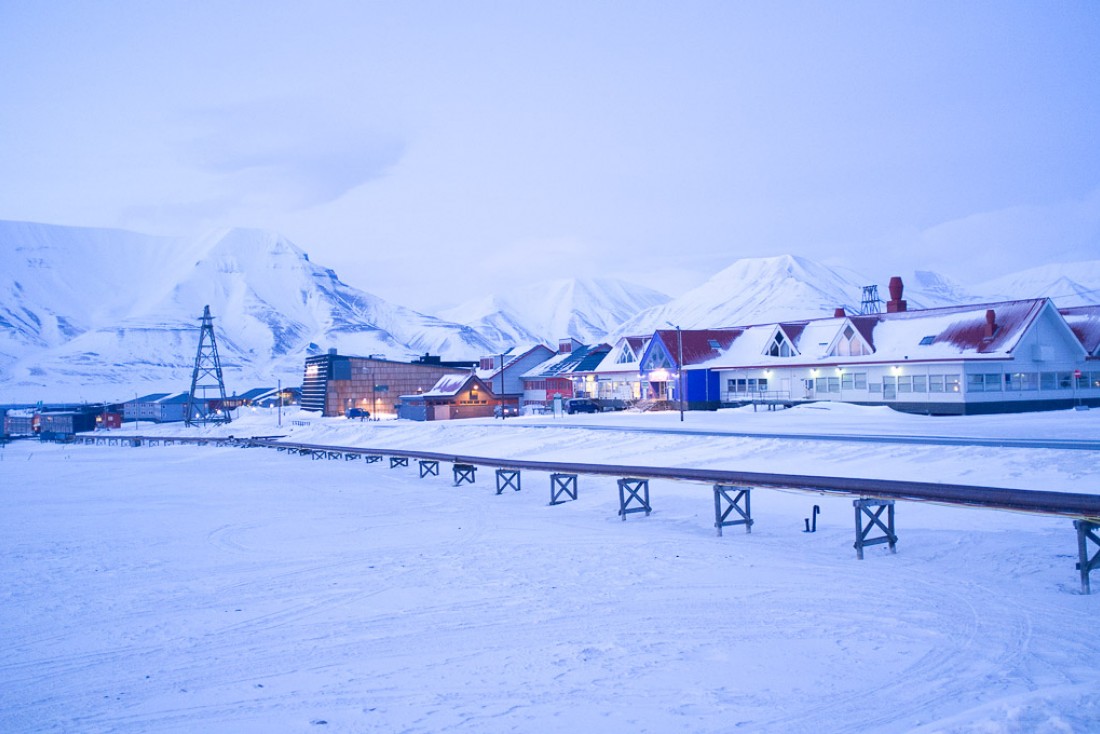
100, 314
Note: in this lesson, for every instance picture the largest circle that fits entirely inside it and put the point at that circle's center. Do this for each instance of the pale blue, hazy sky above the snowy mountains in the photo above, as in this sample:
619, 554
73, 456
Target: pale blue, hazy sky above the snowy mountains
432, 151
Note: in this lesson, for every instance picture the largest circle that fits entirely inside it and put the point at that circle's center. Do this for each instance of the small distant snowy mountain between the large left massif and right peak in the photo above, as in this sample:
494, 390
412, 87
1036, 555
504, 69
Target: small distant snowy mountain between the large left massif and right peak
587, 310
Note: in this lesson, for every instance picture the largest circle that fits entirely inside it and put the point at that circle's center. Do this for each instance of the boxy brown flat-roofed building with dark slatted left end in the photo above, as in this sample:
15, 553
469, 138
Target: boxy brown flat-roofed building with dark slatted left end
336, 384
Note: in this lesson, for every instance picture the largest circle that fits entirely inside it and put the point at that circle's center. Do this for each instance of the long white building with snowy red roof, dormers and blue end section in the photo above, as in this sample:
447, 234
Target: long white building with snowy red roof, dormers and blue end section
987, 358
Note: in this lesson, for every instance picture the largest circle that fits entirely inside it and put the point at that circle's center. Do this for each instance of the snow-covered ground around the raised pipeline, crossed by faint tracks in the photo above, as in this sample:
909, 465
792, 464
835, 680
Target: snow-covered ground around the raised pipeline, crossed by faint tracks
182, 589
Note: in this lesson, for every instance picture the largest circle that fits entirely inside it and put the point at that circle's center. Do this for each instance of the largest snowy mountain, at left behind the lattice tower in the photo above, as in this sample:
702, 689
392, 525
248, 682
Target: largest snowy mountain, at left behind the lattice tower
83, 309
